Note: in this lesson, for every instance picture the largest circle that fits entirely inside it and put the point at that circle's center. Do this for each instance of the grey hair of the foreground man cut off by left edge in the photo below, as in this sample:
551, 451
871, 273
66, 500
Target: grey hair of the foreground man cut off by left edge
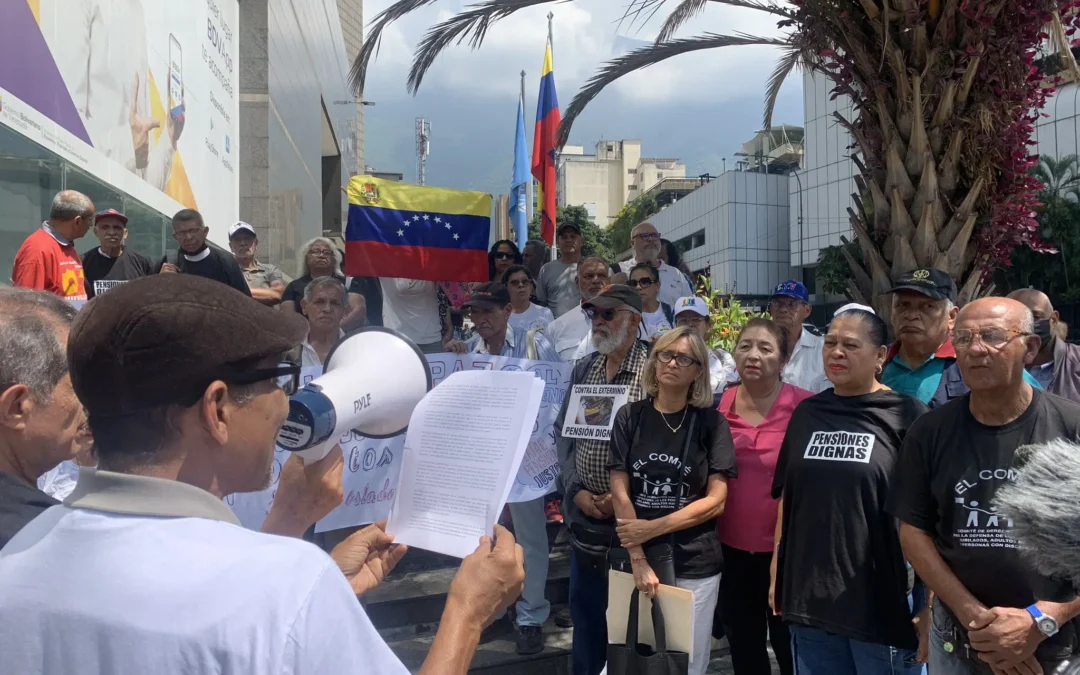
30, 353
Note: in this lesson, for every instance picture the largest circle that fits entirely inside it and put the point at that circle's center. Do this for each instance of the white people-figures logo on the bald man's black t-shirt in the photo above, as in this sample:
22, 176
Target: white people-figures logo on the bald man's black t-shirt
976, 523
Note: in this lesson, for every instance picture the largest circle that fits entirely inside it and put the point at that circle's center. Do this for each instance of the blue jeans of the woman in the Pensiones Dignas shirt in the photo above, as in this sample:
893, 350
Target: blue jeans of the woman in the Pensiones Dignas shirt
818, 653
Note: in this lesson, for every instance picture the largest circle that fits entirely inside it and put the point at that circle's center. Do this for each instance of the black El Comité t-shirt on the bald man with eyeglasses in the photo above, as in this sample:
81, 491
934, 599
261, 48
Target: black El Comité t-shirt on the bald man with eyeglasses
946, 482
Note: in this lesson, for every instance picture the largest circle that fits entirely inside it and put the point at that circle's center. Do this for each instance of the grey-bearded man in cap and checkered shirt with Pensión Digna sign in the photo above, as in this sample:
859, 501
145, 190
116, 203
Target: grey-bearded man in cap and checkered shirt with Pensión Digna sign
585, 480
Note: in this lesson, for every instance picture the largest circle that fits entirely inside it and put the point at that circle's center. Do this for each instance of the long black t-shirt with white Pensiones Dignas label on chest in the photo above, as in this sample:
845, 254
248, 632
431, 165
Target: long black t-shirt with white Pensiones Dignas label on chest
842, 569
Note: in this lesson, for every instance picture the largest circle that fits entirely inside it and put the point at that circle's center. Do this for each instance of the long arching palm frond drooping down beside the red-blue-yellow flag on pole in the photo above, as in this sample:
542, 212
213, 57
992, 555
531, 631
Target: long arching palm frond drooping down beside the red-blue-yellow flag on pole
645, 57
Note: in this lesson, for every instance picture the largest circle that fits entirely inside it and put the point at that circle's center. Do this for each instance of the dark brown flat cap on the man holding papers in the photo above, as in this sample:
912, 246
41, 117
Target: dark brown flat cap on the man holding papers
163, 340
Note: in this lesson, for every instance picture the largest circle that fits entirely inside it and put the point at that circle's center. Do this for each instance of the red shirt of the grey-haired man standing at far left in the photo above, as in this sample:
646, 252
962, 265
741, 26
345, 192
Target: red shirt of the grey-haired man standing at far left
45, 264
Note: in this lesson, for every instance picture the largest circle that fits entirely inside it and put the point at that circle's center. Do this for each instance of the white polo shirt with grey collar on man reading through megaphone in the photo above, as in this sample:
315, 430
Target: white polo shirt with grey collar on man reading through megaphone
90, 588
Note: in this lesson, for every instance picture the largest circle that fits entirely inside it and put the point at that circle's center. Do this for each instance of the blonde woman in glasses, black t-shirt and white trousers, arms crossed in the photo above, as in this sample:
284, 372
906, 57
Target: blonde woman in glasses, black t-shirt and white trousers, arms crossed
672, 455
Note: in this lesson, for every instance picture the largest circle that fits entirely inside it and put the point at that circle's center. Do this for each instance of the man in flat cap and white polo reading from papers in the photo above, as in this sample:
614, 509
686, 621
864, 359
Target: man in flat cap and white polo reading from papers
145, 570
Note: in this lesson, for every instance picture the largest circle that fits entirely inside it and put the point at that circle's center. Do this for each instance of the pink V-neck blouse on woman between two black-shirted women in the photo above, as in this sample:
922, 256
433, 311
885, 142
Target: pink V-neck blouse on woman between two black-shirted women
750, 515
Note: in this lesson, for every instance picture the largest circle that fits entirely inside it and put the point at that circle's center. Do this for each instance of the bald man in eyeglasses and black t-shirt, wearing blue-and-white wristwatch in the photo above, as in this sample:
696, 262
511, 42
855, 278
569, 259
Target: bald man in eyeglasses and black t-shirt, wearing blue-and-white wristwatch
992, 610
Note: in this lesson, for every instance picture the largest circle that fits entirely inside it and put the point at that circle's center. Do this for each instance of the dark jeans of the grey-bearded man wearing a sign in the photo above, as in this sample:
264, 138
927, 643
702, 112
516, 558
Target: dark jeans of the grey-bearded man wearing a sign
589, 613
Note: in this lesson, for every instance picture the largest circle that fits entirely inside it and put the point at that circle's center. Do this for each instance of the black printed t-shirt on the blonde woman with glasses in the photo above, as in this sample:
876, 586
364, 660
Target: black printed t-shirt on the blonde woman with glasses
656, 487
